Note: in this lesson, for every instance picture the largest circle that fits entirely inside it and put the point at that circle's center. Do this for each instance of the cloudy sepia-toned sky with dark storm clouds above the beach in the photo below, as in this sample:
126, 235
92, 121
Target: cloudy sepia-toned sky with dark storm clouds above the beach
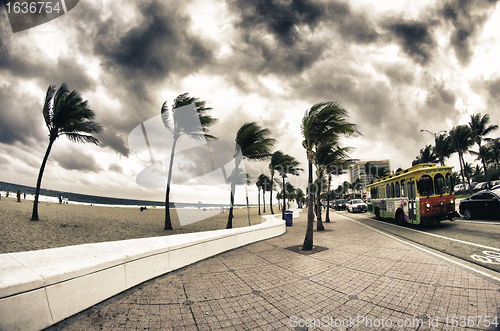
397, 66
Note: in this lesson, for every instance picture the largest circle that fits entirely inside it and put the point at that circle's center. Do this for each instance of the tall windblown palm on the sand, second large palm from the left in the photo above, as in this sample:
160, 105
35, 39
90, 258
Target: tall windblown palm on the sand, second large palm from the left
181, 120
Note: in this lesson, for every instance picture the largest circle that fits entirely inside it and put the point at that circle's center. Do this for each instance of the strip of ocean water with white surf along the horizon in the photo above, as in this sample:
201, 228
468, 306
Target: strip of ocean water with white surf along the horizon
76, 198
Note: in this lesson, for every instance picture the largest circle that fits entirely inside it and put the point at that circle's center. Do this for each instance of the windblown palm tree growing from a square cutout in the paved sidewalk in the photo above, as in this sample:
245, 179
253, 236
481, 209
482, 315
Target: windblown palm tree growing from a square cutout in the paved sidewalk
322, 123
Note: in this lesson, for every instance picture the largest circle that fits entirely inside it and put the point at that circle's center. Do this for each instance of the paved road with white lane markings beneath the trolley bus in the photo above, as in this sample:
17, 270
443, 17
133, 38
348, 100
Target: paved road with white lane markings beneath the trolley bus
474, 241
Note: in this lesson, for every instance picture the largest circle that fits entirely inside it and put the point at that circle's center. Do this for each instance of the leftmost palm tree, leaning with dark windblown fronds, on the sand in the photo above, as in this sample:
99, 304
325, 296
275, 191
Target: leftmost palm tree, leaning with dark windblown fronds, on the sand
65, 113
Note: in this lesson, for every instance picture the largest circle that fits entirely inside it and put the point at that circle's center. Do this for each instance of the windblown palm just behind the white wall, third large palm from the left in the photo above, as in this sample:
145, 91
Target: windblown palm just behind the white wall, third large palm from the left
253, 144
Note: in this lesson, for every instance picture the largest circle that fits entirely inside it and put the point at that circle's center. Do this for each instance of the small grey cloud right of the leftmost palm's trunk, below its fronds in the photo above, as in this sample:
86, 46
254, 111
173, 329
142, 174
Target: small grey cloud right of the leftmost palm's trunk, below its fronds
74, 159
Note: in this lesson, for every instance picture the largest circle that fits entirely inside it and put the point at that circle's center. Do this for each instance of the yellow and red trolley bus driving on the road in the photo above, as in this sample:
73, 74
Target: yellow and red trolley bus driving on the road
418, 195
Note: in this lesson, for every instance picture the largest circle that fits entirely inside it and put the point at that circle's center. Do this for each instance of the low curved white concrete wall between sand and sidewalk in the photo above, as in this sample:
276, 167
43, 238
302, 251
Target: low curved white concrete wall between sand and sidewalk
41, 288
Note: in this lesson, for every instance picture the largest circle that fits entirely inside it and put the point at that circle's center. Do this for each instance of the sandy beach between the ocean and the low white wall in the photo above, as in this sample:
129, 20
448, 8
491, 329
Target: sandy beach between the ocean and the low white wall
67, 224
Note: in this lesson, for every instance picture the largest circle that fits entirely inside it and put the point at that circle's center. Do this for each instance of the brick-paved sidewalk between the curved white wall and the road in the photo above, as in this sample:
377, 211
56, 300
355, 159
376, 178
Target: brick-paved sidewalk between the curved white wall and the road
364, 280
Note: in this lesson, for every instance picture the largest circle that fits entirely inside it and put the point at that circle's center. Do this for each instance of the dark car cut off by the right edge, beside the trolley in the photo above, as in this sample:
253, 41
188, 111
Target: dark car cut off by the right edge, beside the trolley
483, 204
